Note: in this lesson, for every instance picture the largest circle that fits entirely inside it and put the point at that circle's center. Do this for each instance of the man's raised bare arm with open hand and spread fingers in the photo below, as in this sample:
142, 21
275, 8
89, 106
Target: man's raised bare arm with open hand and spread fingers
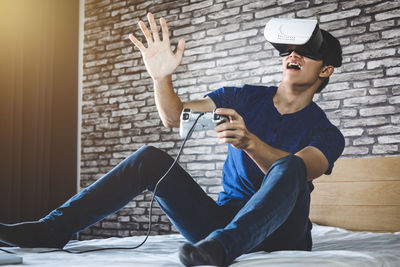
161, 62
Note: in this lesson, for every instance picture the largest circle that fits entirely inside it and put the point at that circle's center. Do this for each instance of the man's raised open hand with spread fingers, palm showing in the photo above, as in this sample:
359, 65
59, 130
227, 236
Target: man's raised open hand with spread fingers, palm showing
158, 56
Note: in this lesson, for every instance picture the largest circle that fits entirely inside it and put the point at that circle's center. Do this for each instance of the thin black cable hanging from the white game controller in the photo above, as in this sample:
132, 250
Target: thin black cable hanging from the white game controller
151, 203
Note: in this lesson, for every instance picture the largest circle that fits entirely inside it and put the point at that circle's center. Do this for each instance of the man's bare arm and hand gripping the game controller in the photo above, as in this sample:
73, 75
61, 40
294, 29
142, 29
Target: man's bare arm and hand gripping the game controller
264, 155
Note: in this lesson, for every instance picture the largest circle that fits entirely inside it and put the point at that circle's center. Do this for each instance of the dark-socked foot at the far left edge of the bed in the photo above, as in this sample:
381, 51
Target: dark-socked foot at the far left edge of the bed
29, 235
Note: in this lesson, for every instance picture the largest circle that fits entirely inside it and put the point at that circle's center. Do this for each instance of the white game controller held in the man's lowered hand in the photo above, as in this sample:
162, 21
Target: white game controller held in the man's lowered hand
207, 121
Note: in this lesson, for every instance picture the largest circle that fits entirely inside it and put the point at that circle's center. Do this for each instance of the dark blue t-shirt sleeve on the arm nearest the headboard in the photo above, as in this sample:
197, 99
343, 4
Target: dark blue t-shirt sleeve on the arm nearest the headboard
330, 141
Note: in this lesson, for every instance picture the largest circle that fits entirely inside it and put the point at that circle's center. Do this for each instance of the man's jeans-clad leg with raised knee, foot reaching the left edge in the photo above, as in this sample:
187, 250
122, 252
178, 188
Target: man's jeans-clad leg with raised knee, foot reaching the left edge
114, 190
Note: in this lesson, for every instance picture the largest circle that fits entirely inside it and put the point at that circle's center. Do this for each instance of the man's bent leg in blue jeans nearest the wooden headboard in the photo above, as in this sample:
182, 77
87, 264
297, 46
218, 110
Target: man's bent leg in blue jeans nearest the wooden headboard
282, 202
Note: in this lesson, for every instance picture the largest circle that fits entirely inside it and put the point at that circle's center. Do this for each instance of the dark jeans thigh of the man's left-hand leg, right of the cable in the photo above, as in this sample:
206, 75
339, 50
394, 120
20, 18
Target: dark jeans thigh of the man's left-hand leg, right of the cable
190, 209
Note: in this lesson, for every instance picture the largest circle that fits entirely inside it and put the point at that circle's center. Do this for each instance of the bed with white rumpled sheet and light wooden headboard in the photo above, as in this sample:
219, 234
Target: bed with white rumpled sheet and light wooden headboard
356, 222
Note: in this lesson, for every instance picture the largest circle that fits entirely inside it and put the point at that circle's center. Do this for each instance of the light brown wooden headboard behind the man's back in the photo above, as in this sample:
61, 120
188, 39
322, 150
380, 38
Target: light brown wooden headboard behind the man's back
361, 194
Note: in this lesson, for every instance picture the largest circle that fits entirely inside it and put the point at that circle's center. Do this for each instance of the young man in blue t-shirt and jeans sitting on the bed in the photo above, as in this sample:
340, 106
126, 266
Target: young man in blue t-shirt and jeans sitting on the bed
278, 140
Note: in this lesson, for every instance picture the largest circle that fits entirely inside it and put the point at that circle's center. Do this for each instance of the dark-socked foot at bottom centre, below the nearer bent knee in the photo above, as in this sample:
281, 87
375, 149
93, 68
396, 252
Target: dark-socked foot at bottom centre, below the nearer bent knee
207, 252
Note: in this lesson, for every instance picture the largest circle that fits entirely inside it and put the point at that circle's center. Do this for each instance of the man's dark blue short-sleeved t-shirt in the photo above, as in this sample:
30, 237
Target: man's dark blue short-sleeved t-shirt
241, 177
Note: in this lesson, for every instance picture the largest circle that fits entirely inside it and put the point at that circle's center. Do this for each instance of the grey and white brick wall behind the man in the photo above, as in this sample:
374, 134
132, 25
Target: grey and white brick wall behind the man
225, 46
